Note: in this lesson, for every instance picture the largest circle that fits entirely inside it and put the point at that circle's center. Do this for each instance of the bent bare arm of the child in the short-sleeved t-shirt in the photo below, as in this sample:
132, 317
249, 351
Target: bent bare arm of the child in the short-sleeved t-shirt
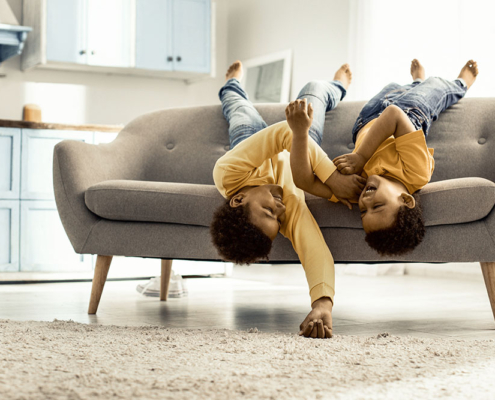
392, 122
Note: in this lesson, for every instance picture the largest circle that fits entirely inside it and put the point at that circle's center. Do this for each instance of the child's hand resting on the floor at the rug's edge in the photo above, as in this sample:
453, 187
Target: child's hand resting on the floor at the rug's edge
318, 323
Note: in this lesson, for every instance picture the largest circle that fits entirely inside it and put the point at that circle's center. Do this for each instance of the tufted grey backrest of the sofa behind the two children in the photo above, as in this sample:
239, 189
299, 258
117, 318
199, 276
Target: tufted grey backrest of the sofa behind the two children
183, 144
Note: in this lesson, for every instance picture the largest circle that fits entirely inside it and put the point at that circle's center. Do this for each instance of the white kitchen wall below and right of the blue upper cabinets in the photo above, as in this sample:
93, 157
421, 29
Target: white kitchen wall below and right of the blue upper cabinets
91, 98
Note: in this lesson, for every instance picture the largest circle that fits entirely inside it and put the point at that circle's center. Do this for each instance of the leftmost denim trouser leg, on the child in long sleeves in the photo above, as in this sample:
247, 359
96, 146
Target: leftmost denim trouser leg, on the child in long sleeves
244, 120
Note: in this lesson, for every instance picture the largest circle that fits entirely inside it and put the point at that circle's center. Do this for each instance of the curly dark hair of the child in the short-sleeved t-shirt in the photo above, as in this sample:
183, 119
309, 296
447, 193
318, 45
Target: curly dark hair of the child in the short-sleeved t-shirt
403, 236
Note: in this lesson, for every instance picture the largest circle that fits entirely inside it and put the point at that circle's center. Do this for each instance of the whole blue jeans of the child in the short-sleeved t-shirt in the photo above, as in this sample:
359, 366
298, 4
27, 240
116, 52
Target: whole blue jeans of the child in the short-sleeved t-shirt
421, 101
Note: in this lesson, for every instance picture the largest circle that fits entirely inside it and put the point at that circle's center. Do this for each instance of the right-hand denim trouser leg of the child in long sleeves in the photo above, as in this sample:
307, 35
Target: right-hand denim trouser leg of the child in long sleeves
324, 96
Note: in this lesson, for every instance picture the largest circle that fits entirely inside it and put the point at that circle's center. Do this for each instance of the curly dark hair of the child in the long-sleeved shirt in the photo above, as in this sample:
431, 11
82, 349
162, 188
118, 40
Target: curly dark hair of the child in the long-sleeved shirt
236, 238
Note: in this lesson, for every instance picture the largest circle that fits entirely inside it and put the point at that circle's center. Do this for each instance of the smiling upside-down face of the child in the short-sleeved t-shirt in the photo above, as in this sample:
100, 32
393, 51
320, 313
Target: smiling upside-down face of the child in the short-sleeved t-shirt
380, 202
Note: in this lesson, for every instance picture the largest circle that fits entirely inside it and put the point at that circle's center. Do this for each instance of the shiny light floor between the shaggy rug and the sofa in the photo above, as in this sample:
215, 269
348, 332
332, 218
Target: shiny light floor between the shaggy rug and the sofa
272, 298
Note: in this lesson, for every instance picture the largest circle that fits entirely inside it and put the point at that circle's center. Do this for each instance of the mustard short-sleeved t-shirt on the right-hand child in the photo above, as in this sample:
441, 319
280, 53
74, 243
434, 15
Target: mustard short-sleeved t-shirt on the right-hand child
407, 159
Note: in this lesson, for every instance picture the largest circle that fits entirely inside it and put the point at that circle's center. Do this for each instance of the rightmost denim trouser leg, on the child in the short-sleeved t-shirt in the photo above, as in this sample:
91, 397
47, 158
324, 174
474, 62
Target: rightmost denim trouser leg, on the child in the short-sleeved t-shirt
426, 101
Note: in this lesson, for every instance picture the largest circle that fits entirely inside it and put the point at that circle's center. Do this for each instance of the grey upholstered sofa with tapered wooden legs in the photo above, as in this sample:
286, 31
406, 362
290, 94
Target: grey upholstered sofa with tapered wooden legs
150, 192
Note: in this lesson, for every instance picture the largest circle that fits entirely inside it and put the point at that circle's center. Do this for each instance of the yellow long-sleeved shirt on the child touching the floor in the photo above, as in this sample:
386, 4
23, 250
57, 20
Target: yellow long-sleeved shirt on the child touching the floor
264, 158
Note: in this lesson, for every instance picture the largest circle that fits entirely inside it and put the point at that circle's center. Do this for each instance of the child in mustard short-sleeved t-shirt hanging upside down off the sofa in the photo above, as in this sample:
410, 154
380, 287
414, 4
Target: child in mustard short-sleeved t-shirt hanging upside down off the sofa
391, 152
